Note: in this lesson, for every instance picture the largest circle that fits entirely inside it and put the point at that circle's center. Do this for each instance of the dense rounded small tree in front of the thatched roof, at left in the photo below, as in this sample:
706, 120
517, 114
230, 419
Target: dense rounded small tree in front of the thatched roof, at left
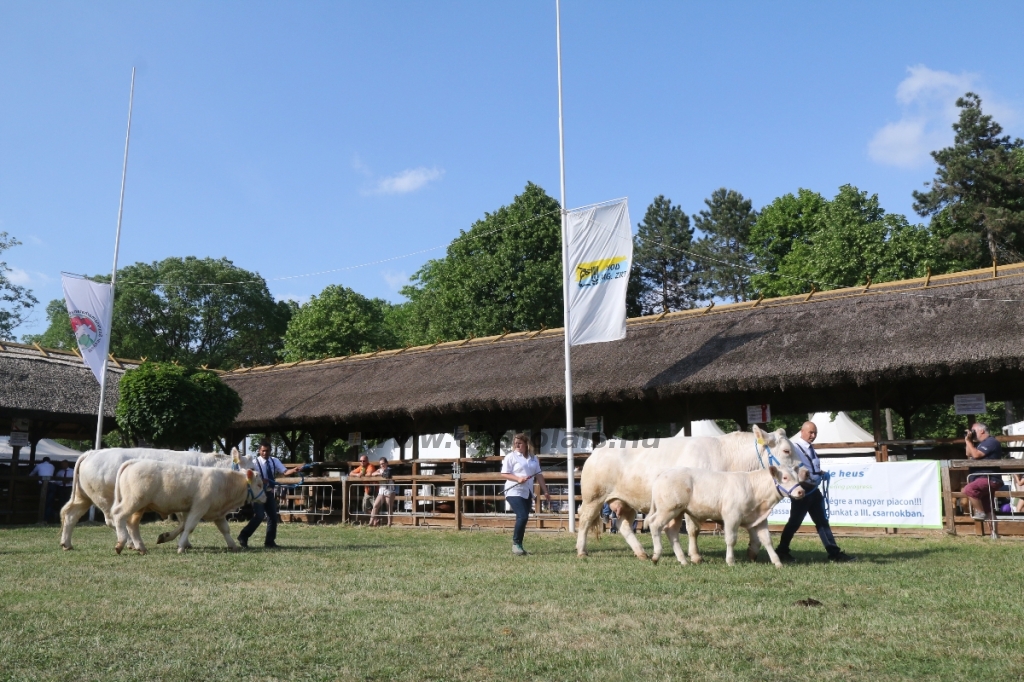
170, 406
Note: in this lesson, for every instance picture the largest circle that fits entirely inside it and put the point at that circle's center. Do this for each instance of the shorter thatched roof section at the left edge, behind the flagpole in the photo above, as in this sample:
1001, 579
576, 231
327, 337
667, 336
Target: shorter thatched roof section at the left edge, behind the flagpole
54, 388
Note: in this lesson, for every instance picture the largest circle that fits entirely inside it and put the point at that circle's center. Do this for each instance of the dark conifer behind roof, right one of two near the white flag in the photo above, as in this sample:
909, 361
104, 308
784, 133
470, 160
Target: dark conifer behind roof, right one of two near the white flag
723, 257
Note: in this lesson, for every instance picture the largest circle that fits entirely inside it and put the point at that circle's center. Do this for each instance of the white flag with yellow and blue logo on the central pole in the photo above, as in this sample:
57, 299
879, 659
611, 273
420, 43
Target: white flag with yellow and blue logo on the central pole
601, 253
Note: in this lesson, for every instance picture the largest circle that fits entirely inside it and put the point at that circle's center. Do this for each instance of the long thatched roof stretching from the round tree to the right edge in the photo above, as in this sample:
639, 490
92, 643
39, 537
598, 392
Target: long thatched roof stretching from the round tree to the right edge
910, 344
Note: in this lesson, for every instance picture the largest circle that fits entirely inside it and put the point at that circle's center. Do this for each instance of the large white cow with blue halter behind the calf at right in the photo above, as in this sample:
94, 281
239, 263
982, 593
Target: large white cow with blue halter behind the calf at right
623, 476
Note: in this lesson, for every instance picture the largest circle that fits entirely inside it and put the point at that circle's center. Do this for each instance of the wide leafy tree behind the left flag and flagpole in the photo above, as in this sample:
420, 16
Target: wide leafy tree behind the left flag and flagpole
191, 311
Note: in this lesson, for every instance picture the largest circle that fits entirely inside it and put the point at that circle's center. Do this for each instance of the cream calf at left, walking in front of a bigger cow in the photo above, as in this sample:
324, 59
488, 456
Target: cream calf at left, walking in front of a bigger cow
200, 494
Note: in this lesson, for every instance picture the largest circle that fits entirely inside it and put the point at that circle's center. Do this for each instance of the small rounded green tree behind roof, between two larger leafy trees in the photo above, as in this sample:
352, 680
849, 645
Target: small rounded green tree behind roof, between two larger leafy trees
337, 323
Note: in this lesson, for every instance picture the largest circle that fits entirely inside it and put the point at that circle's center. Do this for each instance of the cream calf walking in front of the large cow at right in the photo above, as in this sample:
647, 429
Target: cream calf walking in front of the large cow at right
733, 499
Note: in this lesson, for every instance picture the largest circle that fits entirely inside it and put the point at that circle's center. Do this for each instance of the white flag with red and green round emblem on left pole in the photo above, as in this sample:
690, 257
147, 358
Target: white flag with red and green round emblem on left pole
91, 307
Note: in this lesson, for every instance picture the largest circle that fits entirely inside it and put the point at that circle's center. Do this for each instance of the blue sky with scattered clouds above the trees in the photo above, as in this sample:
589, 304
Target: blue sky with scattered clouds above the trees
301, 138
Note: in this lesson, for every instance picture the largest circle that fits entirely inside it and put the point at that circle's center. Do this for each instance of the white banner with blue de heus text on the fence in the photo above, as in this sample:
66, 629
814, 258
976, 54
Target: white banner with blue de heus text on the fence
892, 495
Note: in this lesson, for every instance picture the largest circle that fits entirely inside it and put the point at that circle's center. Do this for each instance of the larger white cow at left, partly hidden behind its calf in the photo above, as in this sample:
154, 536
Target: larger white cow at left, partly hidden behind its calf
96, 474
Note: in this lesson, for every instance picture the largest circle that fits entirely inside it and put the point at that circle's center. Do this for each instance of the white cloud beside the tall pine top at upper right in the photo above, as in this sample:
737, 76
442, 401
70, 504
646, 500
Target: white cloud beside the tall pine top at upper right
928, 101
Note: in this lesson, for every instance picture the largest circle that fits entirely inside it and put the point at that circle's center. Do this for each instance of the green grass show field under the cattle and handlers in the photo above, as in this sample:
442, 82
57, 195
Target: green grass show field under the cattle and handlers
358, 604
